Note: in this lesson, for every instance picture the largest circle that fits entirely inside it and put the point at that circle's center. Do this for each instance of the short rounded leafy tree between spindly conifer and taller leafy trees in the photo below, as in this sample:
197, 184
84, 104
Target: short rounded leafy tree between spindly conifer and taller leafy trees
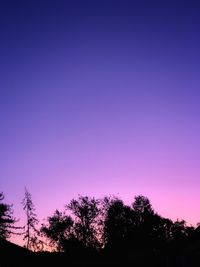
58, 230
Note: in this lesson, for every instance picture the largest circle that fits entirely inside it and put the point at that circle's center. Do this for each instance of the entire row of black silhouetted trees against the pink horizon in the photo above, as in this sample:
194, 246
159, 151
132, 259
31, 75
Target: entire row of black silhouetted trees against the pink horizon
101, 231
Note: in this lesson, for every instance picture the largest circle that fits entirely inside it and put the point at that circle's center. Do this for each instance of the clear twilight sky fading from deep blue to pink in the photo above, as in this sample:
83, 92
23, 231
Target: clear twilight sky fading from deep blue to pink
98, 98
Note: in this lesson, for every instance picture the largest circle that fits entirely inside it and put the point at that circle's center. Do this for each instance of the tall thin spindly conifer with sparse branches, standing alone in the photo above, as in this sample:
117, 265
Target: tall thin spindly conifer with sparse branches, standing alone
30, 233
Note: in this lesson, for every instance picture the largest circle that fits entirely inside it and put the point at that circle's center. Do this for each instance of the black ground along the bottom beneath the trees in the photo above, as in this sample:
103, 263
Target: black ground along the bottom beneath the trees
12, 255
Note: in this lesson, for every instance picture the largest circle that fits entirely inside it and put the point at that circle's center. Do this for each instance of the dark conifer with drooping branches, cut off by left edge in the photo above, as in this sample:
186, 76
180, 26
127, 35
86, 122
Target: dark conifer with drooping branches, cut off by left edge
7, 220
